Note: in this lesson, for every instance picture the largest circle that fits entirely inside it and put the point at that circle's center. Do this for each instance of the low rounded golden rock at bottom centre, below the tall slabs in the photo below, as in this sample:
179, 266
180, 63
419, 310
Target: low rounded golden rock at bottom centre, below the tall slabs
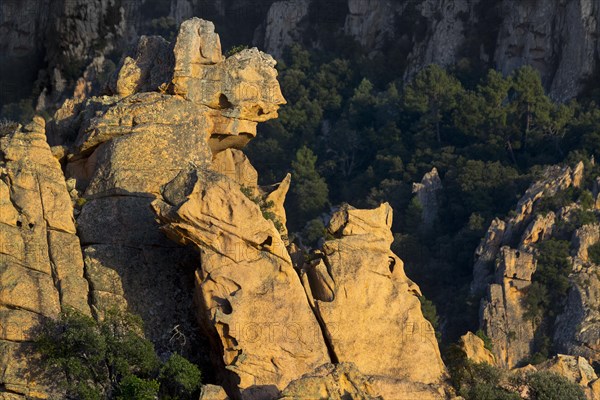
335, 382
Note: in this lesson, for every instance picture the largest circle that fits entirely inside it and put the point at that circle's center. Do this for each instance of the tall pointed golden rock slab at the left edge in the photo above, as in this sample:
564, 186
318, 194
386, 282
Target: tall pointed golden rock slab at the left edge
41, 266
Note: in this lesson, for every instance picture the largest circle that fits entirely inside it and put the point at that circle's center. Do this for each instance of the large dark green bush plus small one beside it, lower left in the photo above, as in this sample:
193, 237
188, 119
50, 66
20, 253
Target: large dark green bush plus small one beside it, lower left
109, 359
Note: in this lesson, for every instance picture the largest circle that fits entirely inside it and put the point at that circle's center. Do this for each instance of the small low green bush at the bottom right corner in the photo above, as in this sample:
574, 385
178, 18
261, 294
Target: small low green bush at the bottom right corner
549, 386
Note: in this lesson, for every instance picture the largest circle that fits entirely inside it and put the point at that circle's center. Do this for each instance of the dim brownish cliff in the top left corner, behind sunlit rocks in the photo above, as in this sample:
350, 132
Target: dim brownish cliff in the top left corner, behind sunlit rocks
52, 42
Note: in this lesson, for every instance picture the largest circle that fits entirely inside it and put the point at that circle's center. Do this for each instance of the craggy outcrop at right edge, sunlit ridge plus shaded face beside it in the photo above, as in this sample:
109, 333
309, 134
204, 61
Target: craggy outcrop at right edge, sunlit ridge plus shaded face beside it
506, 264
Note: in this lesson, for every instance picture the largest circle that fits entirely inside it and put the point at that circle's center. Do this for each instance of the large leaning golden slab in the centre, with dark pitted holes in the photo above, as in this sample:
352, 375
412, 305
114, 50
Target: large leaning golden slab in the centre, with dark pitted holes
246, 286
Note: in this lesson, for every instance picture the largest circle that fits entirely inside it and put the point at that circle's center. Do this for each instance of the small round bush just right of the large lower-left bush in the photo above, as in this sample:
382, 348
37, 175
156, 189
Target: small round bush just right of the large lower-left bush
180, 378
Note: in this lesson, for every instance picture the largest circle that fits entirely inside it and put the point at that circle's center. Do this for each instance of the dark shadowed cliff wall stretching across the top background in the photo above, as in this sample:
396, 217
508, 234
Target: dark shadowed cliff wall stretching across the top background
53, 42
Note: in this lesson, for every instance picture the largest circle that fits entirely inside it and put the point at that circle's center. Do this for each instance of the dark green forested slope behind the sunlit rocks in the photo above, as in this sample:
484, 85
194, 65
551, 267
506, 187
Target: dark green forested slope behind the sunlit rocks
361, 136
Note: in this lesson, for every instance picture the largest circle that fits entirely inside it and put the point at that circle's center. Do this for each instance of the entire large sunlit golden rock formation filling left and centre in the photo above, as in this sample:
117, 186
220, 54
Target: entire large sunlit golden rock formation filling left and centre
160, 155
